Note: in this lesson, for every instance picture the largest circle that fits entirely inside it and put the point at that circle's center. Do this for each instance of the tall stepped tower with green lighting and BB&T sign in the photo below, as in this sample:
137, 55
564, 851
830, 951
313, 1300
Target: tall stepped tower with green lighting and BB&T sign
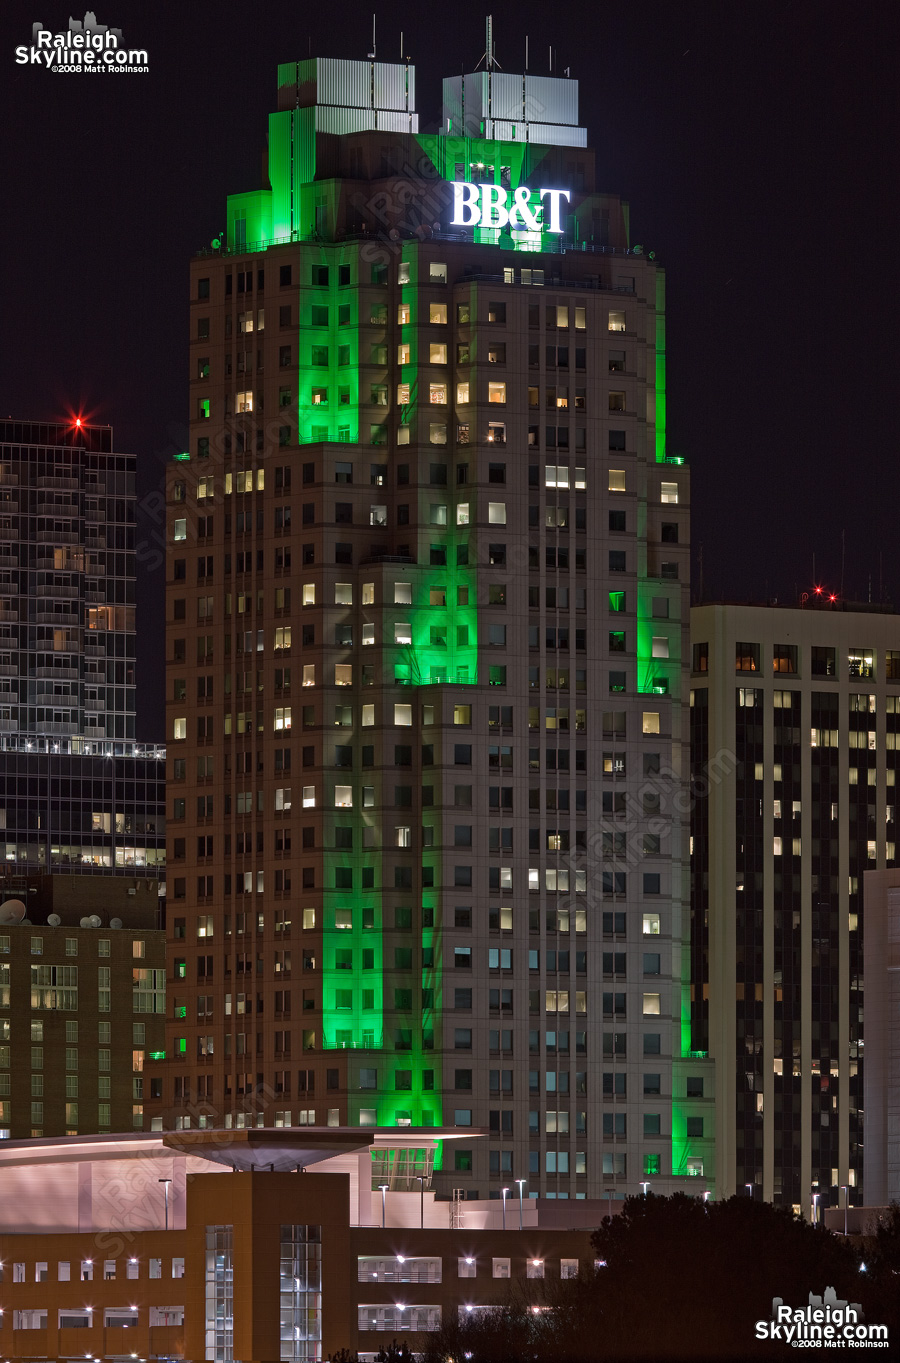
426, 639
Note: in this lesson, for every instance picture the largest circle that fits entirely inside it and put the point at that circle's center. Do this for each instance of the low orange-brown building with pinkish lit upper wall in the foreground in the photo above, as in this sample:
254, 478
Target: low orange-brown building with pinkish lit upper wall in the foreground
149, 1248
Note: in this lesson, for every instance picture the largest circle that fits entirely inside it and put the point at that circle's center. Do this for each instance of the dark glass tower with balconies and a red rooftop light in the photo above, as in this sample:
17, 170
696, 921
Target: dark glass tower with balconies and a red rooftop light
77, 793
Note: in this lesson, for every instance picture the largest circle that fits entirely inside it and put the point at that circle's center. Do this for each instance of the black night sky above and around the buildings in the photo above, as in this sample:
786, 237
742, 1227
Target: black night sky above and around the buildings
757, 145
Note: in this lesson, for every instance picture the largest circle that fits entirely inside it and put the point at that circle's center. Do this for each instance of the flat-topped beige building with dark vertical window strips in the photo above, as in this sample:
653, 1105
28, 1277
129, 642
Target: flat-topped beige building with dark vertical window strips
794, 723
